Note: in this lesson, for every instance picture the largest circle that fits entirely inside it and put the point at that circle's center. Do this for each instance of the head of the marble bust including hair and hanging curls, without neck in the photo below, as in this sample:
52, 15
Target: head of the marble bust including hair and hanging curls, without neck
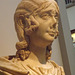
37, 21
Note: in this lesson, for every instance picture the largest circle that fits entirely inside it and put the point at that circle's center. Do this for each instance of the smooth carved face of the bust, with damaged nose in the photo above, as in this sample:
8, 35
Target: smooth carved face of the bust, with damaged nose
48, 25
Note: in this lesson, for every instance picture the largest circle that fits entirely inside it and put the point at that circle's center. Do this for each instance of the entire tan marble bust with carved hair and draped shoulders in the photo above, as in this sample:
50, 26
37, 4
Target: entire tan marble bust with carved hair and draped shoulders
36, 24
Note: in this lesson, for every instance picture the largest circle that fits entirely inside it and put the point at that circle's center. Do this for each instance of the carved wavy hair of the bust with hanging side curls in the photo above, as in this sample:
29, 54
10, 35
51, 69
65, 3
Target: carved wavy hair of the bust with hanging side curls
24, 27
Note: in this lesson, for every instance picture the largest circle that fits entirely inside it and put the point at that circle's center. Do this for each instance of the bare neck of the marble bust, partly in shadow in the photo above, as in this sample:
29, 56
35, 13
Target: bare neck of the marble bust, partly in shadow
38, 54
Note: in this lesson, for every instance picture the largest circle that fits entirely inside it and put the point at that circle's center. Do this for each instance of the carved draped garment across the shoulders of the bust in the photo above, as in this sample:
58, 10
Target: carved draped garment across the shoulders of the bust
17, 67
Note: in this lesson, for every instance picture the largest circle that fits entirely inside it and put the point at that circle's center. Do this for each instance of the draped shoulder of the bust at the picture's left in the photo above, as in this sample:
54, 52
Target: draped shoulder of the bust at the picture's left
12, 66
